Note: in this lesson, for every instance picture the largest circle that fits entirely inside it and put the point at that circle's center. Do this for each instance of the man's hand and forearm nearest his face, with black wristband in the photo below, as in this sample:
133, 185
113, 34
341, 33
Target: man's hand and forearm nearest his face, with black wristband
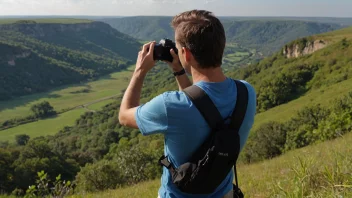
182, 80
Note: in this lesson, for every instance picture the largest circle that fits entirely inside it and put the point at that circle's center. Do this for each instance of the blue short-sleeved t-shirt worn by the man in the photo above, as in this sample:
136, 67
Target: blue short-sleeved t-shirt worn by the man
174, 115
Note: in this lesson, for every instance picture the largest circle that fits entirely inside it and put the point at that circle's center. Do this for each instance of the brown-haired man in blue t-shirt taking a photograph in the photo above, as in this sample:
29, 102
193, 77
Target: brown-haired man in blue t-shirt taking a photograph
200, 40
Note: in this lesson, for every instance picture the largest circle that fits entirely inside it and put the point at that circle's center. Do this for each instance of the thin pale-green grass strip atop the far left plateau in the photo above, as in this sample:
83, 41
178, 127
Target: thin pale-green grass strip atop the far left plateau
53, 20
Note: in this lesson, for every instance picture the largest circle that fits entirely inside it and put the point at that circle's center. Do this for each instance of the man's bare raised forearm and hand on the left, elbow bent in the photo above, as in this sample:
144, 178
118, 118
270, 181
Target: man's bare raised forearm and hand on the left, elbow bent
131, 98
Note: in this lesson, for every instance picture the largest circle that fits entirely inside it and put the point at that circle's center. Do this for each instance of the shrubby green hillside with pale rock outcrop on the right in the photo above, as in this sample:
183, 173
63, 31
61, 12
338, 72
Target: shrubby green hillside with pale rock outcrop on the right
279, 79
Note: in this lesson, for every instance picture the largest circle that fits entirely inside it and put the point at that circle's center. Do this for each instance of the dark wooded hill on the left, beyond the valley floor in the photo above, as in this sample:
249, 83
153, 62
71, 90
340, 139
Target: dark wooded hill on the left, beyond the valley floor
36, 57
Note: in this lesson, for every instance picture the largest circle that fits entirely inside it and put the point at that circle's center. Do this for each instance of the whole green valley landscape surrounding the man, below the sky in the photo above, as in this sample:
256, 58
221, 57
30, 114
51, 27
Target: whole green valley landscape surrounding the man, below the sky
301, 71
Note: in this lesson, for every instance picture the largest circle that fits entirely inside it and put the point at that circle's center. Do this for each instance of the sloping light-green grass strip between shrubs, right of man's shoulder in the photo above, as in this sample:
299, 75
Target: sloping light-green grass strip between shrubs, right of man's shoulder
322, 96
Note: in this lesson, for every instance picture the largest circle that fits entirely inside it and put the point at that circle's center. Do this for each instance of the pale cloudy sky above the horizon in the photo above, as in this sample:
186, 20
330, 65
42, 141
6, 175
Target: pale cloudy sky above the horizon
308, 8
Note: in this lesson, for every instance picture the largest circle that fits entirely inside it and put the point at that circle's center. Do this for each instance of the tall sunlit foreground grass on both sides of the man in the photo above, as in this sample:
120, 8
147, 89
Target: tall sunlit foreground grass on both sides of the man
322, 170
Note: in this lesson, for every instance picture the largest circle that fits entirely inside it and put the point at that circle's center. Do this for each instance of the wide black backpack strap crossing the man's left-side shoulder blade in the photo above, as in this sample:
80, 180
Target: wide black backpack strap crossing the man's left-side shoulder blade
204, 105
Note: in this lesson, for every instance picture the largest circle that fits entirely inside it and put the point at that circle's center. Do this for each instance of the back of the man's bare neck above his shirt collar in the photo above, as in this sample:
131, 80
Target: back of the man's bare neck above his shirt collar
207, 75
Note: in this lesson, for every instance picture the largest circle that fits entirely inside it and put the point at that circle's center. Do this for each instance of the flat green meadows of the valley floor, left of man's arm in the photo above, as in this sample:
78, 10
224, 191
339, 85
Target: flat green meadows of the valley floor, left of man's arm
106, 87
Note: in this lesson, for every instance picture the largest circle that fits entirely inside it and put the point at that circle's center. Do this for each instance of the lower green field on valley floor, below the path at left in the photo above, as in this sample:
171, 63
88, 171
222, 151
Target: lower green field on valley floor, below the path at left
49, 126
